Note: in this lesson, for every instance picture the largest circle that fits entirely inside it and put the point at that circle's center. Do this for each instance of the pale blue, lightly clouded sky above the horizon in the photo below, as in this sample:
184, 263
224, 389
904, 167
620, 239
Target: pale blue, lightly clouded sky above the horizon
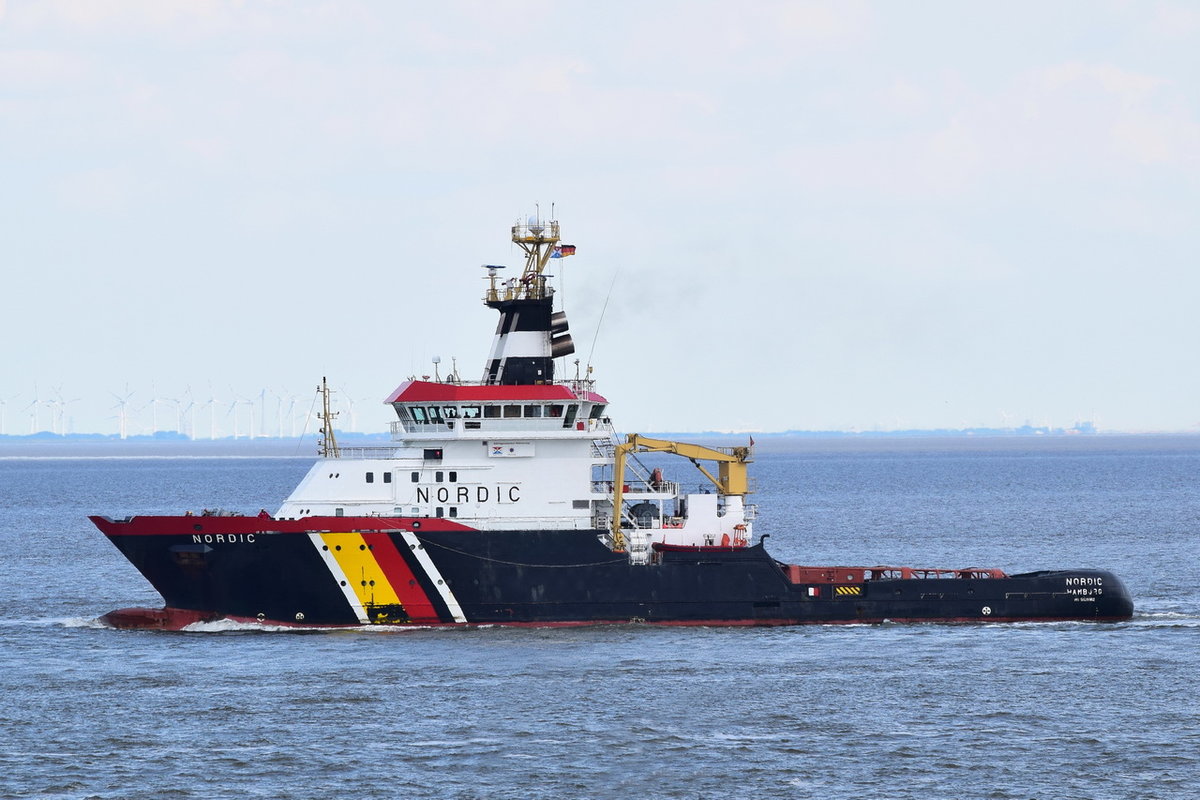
788, 215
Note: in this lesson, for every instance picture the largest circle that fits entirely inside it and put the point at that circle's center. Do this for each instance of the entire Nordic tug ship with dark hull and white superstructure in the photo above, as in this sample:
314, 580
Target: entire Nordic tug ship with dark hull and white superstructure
513, 501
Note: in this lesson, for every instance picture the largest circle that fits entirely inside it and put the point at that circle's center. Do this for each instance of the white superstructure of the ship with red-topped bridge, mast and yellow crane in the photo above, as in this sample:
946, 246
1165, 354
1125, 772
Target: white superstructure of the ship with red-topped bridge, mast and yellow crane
520, 450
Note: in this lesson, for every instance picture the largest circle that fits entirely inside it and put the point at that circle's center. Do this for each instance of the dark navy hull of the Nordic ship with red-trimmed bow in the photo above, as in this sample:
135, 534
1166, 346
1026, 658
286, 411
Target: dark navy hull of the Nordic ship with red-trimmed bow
345, 572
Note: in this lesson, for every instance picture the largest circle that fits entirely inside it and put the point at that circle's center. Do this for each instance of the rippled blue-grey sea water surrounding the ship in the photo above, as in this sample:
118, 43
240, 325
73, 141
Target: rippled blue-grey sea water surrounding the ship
1047, 712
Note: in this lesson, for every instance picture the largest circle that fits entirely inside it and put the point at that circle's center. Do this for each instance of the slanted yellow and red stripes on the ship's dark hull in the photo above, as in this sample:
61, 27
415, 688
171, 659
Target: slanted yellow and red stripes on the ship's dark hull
376, 576
